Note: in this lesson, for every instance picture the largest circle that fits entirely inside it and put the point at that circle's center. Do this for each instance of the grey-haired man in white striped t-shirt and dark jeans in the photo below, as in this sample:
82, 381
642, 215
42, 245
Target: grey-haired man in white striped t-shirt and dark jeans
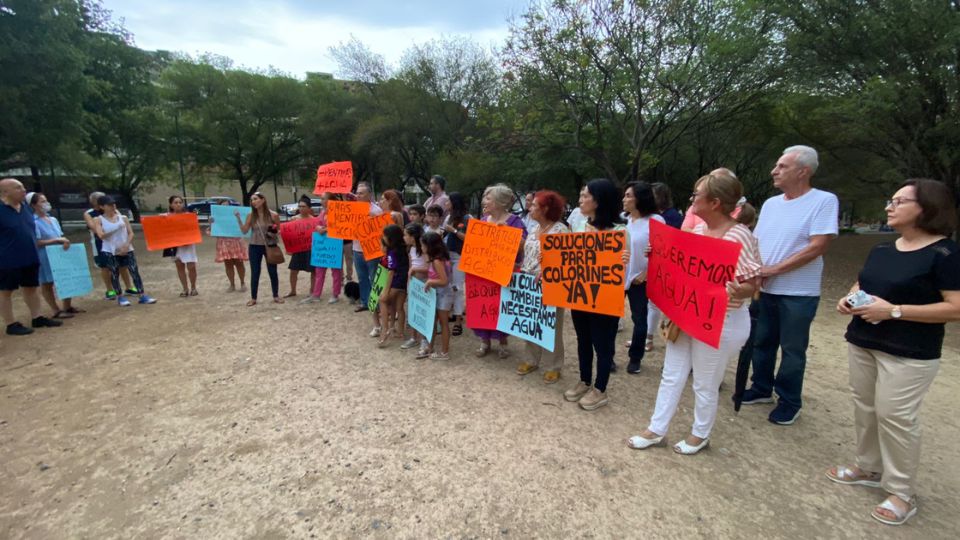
794, 231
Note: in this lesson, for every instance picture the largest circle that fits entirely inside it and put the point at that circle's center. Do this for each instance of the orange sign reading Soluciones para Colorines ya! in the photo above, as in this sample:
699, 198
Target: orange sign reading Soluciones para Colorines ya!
584, 271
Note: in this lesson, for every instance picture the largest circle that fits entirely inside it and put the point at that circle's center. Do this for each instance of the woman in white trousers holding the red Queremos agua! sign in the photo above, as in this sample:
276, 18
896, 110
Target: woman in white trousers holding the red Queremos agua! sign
713, 199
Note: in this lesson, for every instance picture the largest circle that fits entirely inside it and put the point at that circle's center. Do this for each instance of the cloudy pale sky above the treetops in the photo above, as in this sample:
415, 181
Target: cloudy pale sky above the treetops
294, 35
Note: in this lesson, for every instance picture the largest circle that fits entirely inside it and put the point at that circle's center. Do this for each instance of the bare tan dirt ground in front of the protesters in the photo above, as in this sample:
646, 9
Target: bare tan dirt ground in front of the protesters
203, 418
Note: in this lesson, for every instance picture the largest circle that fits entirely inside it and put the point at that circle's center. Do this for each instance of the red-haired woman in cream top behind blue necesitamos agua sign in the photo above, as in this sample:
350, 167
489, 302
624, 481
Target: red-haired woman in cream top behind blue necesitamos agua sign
545, 209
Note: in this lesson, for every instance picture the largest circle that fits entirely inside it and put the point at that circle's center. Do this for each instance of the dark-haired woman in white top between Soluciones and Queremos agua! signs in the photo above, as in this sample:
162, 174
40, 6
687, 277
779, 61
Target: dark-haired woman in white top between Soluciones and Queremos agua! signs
641, 207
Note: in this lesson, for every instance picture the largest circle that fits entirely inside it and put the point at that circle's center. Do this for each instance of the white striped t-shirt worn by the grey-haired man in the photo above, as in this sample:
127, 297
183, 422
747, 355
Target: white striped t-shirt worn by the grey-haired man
785, 227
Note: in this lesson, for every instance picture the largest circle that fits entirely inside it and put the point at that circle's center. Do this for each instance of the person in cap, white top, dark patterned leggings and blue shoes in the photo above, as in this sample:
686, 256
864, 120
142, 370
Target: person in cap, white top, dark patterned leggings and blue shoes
115, 232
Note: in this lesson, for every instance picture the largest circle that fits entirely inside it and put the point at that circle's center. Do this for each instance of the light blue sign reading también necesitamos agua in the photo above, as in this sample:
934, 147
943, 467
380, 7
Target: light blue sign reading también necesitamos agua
523, 314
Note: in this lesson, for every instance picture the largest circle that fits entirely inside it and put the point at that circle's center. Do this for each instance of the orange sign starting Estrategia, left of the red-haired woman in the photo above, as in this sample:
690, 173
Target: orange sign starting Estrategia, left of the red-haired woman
490, 251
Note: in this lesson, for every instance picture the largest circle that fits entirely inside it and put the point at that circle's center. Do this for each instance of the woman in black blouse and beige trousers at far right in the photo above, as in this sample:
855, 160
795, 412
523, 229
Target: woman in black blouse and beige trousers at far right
912, 287
